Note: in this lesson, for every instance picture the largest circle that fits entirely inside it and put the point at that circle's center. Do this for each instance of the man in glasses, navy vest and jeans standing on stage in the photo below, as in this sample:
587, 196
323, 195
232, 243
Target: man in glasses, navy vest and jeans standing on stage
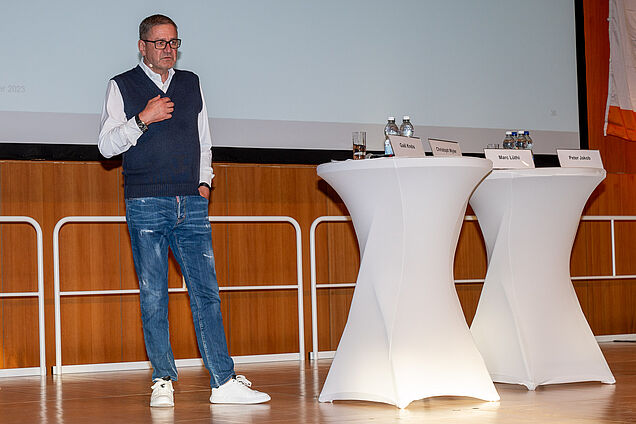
156, 116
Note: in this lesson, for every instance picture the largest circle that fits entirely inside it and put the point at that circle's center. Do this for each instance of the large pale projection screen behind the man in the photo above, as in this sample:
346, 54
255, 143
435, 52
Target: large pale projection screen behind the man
295, 74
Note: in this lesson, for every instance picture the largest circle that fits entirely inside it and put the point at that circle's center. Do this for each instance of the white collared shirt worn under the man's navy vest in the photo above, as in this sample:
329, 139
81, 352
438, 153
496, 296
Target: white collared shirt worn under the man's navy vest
116, 134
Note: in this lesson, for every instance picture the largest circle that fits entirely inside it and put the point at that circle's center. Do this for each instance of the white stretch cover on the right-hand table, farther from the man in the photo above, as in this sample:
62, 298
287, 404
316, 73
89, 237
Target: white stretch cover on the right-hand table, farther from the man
529, 326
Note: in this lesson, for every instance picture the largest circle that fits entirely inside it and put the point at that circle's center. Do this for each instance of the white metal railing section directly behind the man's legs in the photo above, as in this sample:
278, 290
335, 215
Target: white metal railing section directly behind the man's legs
58, 293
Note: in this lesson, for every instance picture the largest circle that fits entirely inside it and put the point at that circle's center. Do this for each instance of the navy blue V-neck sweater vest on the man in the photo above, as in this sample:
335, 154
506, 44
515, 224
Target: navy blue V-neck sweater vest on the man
166, 159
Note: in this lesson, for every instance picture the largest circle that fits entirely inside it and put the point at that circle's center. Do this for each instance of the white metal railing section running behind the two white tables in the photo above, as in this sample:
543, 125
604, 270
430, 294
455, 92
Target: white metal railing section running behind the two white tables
314, 286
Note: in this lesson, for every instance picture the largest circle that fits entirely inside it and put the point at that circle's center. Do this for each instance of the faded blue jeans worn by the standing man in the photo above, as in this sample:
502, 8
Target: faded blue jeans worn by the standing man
181, 223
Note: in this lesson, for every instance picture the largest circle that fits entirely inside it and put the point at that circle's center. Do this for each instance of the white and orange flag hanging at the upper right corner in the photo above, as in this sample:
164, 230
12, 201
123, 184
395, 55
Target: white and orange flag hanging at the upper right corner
620, 113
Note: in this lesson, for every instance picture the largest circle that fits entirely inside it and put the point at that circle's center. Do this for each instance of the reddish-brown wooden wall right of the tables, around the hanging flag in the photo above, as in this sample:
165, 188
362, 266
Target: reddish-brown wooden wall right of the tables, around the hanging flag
608, 305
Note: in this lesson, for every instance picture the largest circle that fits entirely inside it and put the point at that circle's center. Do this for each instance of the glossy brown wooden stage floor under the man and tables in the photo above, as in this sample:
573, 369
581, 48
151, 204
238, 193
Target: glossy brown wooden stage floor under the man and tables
122, 397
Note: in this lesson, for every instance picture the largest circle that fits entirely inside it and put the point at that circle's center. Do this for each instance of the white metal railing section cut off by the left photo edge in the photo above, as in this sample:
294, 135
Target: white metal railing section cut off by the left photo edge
41, 370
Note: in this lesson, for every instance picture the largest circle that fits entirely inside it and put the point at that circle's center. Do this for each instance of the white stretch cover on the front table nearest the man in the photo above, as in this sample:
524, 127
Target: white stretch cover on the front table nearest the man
406, 337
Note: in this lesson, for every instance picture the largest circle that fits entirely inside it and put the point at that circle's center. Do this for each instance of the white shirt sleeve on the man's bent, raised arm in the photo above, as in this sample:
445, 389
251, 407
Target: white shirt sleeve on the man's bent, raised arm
116, 134
